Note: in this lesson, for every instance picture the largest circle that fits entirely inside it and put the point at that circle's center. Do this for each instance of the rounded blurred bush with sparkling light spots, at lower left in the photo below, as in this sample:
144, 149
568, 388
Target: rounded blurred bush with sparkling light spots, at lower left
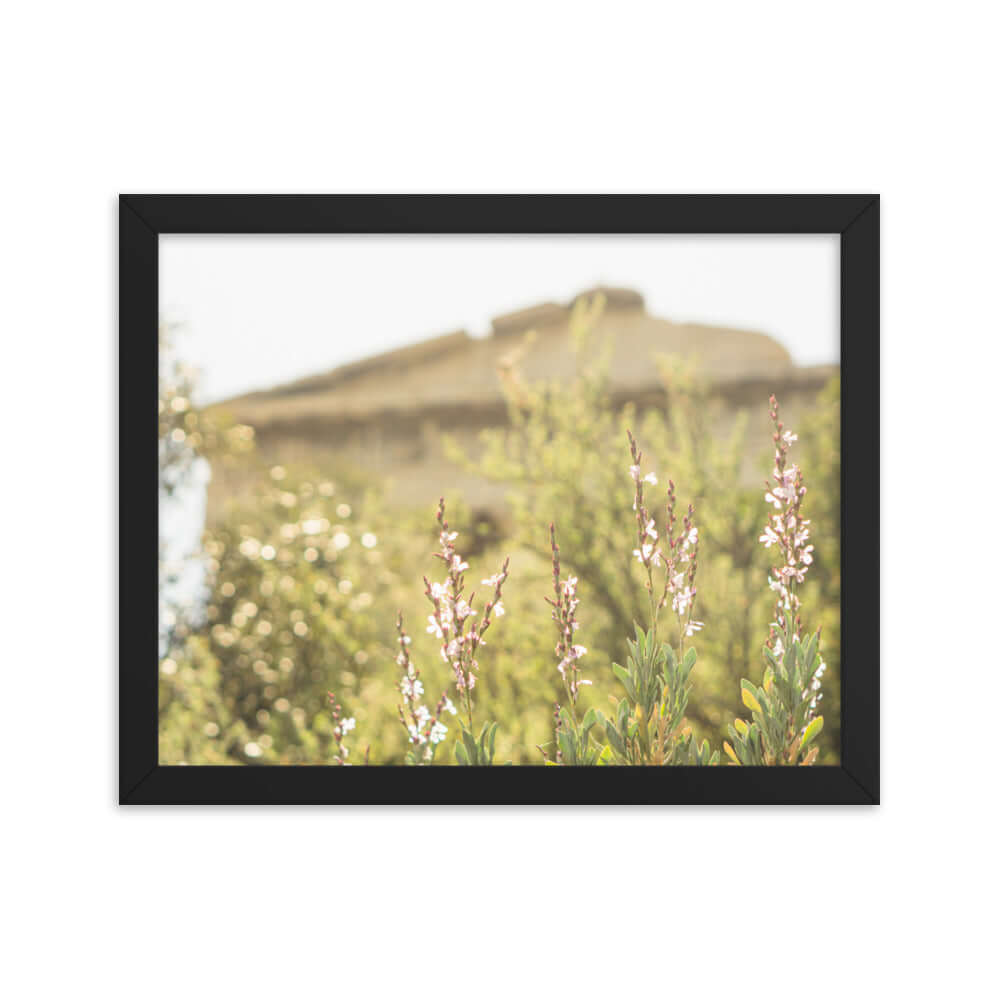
304, 575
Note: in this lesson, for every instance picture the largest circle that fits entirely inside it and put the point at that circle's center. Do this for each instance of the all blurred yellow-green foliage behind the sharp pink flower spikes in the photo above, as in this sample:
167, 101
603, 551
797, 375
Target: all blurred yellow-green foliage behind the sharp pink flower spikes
308, 570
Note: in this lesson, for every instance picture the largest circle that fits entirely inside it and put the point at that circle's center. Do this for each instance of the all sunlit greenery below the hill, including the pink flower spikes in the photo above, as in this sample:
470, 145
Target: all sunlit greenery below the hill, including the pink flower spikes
640, 618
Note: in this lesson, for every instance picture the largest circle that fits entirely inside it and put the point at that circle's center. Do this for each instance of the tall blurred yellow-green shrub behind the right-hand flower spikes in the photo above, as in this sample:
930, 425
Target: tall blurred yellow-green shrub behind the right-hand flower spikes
565, 459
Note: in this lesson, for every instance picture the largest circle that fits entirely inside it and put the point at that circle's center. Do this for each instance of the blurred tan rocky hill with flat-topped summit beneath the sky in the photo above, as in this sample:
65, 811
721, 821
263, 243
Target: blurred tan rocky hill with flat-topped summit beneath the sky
386, 414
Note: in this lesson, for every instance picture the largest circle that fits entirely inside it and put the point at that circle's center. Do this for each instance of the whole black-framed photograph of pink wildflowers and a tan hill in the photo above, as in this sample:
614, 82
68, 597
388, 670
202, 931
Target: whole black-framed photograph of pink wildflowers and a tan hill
499, 499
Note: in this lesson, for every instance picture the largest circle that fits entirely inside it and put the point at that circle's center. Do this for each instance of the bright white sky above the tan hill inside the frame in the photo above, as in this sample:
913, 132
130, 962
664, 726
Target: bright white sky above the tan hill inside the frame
261, 310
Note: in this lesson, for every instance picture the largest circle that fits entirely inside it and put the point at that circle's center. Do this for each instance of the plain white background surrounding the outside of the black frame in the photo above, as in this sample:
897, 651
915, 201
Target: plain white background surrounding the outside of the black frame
894, 901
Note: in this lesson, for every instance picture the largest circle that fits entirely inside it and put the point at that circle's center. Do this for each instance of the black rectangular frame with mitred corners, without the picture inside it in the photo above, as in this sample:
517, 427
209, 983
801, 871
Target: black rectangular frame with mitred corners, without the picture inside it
143, 217
